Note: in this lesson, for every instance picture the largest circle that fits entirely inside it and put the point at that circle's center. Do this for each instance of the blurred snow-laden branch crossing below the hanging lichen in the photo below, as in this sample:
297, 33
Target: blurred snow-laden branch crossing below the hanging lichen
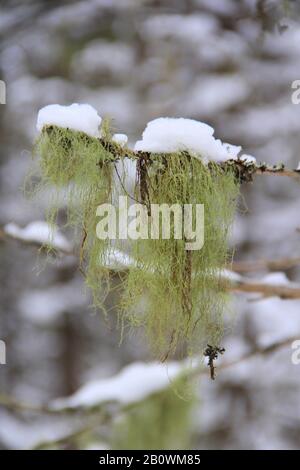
86, 398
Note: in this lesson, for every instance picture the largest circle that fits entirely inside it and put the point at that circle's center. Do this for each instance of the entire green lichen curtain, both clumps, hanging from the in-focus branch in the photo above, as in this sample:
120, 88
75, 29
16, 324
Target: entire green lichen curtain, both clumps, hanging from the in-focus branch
177, 296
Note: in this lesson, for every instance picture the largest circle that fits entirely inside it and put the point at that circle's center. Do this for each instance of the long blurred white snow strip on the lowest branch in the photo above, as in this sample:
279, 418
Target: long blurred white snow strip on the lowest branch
134, 383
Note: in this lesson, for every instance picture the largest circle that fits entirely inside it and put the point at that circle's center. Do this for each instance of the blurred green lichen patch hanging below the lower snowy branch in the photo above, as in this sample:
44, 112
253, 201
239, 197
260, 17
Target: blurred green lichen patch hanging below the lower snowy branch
162, 421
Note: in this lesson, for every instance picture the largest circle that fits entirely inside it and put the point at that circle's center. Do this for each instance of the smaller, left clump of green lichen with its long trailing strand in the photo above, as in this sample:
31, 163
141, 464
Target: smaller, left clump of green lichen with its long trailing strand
79, 168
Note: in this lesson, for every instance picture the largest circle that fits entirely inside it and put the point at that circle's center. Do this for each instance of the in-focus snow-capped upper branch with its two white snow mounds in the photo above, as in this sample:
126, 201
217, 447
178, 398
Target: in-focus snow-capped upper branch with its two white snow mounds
161, 136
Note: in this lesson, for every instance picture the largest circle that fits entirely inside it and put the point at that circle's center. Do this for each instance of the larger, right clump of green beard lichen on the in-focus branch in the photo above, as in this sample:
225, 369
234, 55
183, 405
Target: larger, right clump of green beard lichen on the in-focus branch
183, 292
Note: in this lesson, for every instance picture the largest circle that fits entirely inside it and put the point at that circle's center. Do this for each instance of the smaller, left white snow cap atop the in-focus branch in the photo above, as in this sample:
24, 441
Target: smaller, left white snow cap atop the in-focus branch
79, 117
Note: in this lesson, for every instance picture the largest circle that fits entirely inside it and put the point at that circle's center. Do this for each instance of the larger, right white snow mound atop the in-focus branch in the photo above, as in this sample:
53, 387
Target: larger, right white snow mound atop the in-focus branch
178, 134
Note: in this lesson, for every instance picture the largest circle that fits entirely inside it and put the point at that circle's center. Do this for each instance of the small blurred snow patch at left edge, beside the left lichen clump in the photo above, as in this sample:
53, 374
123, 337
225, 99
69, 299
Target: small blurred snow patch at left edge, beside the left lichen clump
39, 232
